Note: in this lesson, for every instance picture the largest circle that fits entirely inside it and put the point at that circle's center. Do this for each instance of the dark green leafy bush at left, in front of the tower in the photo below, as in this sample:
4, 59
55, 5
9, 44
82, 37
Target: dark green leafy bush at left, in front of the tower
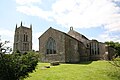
16, 66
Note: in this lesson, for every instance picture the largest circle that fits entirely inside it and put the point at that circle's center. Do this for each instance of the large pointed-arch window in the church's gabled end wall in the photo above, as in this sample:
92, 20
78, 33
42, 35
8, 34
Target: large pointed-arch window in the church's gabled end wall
51, 46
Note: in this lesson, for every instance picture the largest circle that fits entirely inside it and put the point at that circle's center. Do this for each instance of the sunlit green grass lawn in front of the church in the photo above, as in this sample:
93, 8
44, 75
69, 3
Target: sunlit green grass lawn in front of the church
96, 70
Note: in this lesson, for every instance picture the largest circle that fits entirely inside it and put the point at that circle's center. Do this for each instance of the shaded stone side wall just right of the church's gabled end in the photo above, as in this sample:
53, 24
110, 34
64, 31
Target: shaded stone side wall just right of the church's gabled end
71, 50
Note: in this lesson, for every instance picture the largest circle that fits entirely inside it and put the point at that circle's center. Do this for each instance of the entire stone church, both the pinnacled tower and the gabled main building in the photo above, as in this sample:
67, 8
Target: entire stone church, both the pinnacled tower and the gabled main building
55, 45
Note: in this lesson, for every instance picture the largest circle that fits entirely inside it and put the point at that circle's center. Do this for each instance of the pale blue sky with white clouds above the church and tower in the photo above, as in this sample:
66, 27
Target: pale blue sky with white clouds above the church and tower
96, 19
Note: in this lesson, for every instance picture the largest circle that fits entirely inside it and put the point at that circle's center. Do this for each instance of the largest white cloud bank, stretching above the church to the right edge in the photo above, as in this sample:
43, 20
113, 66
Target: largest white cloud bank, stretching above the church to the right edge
78, 13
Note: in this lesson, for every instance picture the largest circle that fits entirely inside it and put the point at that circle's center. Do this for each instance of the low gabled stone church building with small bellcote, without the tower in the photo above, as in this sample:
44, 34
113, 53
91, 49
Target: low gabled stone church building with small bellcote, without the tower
71, 47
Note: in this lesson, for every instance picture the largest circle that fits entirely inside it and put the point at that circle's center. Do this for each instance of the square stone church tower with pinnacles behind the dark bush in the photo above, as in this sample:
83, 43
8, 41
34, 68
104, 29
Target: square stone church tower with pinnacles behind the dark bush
22, 39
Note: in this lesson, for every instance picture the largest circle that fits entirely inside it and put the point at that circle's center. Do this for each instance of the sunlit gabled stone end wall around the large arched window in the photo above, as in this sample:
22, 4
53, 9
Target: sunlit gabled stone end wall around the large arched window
60, 49
